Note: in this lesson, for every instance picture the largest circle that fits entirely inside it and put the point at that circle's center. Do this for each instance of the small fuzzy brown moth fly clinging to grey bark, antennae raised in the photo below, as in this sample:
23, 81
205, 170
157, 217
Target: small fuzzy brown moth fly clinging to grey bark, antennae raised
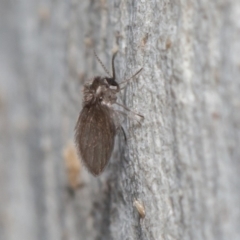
97, 124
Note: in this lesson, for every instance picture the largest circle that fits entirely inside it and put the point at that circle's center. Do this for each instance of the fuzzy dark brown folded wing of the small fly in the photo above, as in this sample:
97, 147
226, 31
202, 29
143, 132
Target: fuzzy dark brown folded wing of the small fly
95, 133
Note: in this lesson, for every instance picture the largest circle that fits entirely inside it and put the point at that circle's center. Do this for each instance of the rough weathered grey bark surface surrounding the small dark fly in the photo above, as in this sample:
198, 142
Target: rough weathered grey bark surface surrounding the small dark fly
182, 163
